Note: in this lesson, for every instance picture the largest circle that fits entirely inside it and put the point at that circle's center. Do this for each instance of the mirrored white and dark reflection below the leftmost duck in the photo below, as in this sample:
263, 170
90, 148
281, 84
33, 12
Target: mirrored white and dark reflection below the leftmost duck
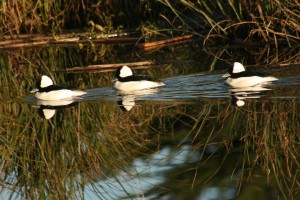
47, 109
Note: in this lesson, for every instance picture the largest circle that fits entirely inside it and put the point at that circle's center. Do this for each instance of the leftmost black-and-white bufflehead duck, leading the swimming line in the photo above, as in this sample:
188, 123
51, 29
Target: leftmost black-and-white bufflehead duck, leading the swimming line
46, 90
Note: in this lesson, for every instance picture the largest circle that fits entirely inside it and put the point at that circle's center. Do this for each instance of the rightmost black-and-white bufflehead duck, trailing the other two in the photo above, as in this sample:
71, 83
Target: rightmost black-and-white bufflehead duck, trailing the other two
238, 77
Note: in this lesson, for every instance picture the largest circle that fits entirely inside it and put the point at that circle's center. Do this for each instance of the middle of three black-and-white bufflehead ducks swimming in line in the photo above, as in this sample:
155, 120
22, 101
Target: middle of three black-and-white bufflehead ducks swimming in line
126, 81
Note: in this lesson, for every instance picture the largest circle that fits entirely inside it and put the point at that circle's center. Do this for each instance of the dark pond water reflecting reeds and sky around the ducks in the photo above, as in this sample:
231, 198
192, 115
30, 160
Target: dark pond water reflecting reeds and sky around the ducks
194, 138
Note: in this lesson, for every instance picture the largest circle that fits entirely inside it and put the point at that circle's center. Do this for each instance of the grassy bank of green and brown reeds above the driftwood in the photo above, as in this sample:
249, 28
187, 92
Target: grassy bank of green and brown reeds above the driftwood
226, 21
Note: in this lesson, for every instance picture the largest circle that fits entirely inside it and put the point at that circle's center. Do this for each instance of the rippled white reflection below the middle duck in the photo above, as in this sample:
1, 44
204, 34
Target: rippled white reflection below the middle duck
127, 99
